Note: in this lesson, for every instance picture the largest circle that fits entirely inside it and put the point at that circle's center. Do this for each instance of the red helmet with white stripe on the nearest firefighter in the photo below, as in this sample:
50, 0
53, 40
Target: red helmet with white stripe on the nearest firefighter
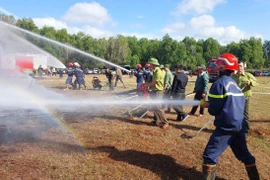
227, 61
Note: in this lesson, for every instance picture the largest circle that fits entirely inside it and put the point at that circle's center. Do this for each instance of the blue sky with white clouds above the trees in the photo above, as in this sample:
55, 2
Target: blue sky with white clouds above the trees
223, 20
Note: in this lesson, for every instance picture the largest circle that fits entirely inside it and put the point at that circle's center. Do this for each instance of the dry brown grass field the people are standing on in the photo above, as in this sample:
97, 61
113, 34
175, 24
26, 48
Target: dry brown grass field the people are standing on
110, 146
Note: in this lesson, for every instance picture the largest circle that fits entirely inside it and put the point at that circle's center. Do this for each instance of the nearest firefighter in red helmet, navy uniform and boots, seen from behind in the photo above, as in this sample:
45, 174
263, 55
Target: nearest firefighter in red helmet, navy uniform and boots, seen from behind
226, 103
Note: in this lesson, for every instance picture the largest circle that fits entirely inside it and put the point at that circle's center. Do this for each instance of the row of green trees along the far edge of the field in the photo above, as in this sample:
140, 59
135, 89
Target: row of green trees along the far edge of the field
127, 50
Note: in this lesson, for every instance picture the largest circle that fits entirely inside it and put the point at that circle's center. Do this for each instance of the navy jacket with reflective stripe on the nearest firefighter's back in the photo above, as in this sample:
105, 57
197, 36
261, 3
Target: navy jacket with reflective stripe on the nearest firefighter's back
226, 103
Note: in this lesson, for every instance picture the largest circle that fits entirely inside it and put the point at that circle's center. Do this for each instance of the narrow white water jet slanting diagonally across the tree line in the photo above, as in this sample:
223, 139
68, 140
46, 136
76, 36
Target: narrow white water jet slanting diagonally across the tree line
64, 45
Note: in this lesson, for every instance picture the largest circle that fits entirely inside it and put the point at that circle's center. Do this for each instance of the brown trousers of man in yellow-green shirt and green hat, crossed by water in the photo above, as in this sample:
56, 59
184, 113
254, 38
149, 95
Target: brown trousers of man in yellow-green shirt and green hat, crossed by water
159, 115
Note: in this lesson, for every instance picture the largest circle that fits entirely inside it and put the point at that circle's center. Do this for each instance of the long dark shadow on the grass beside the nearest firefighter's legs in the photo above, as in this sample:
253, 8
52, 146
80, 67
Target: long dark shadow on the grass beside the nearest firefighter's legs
160, 164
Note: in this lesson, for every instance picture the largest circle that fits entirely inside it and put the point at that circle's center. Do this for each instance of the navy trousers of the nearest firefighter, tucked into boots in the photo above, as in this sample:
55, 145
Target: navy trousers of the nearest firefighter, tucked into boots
220, 140
